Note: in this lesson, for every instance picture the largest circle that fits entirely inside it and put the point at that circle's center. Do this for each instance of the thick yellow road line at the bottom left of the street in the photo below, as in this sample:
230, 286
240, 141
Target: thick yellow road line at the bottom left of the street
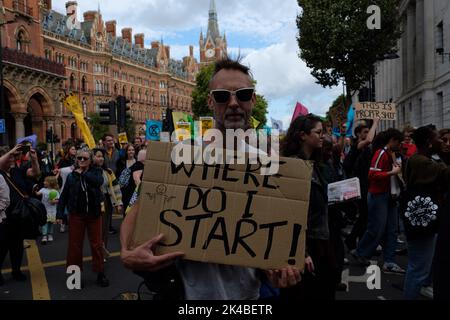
39, 283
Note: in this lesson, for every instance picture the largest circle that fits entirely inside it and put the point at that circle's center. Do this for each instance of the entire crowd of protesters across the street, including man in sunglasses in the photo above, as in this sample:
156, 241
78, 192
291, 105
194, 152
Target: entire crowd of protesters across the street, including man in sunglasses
404, 182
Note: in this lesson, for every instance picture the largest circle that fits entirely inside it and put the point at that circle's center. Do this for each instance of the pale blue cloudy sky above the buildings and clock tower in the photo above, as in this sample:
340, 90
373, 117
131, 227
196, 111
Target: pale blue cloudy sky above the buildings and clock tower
263, 31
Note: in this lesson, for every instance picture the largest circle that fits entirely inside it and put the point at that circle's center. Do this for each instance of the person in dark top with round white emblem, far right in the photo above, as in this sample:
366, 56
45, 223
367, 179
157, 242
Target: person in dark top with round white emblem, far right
426, 183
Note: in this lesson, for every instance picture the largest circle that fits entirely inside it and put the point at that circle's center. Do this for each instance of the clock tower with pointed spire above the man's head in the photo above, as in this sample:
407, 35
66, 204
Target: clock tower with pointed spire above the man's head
212, 47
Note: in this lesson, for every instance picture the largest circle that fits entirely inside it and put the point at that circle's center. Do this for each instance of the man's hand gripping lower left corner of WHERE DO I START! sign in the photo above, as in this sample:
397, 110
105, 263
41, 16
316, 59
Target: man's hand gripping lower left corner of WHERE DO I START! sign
142, 258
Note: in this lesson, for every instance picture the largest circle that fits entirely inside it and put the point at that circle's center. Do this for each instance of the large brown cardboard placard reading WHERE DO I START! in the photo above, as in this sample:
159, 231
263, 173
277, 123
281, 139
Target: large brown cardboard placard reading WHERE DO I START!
225, 214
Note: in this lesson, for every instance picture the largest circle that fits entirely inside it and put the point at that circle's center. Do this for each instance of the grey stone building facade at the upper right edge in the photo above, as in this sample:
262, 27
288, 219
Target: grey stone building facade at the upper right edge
419, 80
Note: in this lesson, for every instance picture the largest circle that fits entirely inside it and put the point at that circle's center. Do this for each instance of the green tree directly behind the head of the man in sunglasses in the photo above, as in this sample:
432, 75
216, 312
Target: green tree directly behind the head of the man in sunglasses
200, 97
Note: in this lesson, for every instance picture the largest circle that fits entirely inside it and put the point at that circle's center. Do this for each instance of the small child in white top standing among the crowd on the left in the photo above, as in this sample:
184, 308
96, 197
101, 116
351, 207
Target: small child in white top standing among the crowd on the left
50, 196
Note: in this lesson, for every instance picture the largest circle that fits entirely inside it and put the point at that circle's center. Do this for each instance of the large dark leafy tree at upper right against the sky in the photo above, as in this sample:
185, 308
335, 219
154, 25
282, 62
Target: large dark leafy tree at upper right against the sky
336, 43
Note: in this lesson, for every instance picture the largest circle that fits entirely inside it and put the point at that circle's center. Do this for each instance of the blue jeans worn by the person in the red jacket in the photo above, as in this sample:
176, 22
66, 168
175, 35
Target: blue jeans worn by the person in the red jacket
381, 227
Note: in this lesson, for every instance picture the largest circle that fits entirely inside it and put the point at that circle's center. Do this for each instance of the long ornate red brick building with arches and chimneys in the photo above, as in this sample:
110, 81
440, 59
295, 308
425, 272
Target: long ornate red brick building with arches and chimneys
48, 52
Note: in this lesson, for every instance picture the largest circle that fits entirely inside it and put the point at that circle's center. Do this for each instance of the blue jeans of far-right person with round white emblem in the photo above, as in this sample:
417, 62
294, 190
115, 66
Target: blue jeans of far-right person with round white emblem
420, 259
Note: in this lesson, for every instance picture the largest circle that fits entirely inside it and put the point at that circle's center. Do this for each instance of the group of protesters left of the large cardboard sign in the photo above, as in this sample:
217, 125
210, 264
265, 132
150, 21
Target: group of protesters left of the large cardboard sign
79, 189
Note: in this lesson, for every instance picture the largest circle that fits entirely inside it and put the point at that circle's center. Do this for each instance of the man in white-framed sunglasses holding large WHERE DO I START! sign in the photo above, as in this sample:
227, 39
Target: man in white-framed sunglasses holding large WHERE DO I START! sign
226, 220
